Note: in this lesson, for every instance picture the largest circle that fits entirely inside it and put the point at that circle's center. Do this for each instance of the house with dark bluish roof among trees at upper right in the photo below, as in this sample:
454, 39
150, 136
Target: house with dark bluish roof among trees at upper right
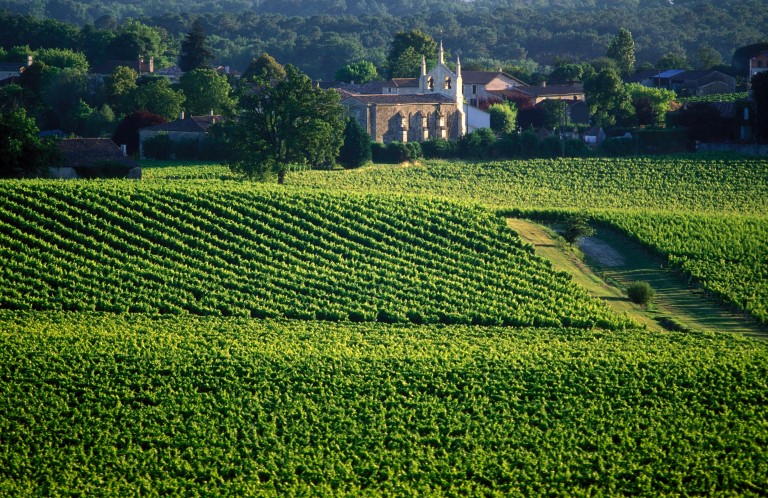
687, 83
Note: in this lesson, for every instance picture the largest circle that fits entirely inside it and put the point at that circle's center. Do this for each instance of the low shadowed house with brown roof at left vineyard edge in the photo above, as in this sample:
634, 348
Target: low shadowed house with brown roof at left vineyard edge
94, 158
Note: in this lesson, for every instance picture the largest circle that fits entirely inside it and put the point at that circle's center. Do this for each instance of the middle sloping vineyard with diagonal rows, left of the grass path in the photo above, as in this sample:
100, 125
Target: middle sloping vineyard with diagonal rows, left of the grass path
264, 253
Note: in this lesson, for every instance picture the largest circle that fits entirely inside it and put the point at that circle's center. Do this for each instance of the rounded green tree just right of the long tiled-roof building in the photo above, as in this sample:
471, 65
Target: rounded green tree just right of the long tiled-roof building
608, 101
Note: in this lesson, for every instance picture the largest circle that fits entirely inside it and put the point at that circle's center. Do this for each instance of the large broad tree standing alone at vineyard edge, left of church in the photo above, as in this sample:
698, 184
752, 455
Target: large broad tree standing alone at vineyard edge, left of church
285, 123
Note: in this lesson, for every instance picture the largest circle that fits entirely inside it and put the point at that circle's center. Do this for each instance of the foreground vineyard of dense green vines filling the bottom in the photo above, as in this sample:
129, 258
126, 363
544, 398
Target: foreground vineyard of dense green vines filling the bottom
116, 405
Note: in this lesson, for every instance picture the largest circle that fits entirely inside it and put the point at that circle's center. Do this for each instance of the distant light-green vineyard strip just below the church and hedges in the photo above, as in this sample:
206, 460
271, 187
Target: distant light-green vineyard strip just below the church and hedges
680, 183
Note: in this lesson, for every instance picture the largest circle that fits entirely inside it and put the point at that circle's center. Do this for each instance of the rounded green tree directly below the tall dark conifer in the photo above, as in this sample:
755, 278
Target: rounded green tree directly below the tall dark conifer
205, 91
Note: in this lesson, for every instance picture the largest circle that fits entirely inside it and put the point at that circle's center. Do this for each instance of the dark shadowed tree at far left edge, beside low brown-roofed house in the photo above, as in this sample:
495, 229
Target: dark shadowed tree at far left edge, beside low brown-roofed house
22, 153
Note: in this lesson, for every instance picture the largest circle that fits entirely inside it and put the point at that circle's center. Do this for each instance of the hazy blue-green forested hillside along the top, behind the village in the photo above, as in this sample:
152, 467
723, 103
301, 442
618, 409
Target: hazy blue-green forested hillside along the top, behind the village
524, 37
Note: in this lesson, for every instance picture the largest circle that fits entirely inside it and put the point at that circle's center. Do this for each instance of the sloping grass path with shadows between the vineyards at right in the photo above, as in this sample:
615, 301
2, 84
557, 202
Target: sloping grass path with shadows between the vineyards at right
613, 261
